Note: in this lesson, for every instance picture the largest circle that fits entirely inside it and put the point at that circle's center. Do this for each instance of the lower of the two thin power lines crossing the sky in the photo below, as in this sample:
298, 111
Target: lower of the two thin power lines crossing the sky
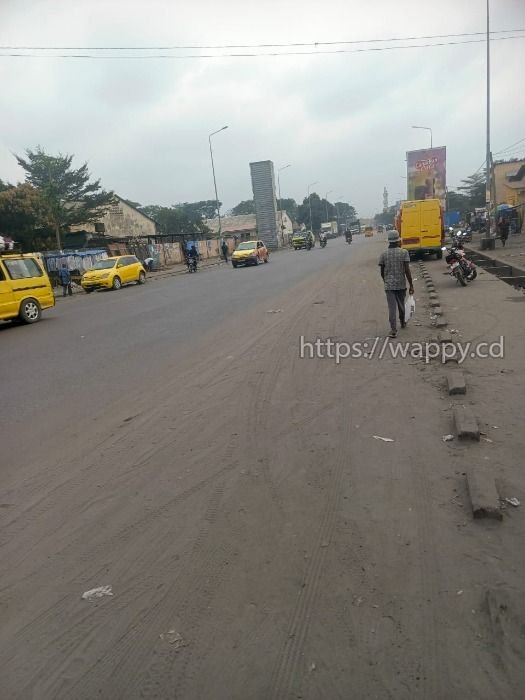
256, 55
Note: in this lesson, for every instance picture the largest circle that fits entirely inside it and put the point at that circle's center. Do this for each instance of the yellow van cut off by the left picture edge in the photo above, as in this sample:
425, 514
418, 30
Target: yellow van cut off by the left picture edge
25, 288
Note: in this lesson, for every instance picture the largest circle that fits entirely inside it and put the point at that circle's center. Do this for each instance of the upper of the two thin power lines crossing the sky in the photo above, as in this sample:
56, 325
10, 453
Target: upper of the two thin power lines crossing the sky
254, 46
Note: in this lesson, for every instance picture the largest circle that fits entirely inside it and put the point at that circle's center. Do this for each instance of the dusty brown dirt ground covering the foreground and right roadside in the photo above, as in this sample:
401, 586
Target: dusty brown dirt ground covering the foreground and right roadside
246, 507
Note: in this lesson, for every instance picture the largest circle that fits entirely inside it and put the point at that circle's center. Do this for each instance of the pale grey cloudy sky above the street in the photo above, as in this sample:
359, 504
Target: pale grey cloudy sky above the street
341, 119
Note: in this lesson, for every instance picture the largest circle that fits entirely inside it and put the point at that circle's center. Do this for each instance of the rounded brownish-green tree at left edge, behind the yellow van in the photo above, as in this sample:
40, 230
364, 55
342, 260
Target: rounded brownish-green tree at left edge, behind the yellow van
25, 216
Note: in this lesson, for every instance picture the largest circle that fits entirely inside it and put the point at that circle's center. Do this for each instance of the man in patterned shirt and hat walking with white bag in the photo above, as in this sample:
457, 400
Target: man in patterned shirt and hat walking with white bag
394, 264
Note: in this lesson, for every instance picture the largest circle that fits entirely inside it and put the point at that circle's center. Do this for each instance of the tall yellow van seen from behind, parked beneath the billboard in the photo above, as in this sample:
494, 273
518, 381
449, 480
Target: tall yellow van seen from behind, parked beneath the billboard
420, 225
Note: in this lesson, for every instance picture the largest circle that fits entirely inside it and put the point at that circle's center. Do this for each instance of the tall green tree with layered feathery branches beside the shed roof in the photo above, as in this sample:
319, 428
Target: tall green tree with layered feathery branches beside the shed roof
70, 196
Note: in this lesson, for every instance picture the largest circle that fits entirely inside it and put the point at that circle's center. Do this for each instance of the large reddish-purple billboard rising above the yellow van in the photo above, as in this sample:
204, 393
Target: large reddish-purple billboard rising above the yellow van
426, 174
